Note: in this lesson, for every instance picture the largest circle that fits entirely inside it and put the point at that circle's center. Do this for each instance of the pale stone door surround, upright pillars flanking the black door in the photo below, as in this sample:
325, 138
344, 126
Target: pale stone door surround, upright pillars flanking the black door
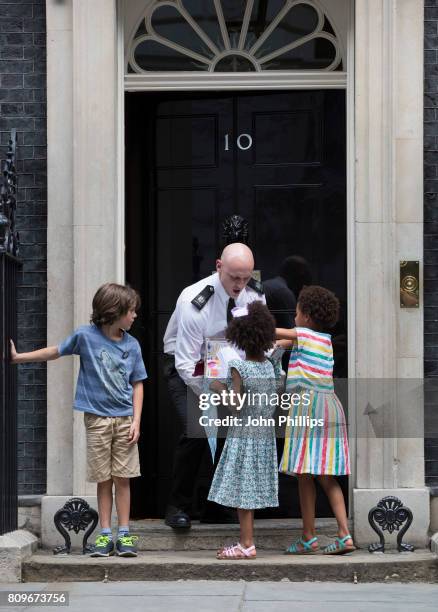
86, 228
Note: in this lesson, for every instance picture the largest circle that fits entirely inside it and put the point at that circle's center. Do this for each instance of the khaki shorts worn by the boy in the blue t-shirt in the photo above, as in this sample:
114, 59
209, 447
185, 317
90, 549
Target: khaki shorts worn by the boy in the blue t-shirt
108, 451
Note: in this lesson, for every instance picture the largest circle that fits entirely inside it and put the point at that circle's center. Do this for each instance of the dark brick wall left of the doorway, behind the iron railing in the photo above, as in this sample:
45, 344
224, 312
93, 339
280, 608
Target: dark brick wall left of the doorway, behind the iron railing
23, 106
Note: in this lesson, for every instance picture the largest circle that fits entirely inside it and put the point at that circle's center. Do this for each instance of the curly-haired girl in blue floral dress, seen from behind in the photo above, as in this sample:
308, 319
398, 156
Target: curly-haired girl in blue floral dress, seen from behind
246, 476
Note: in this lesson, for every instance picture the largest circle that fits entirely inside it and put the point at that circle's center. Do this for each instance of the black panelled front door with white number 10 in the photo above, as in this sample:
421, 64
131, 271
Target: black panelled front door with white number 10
277, 159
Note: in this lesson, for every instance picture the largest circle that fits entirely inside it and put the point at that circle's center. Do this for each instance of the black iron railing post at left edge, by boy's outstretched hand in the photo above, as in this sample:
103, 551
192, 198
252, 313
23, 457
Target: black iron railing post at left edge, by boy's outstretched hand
9, 267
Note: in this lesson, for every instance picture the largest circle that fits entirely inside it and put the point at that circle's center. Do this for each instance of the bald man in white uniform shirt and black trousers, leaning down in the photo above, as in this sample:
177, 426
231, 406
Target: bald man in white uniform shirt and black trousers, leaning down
202, 311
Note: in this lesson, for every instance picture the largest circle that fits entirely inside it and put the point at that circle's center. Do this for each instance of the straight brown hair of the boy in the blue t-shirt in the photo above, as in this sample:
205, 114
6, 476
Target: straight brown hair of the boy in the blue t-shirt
112, 301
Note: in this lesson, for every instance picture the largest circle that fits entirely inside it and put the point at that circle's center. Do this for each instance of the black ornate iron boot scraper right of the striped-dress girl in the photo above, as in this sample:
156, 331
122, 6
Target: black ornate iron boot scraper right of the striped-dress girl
389, 515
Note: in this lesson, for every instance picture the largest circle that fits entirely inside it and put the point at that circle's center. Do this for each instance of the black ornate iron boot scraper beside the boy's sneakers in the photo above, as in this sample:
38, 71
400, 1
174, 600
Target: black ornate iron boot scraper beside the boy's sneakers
75, 516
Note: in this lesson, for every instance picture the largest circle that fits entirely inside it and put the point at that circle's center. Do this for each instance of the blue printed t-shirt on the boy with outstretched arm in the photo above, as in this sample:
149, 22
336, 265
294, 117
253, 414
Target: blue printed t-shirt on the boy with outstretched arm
108, 369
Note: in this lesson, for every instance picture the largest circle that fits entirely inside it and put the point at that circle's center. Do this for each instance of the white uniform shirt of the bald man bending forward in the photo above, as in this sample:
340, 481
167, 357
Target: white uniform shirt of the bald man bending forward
188, 326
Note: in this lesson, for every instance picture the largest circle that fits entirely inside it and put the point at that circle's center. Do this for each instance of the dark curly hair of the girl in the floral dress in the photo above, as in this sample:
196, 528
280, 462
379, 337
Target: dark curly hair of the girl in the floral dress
255, 332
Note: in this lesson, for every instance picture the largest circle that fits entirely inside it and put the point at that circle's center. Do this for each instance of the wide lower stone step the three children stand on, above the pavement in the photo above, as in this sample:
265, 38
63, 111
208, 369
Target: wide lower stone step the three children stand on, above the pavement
360, 566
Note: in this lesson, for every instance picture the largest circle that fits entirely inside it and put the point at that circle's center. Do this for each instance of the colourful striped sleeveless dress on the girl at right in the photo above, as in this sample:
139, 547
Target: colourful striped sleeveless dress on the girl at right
322, 449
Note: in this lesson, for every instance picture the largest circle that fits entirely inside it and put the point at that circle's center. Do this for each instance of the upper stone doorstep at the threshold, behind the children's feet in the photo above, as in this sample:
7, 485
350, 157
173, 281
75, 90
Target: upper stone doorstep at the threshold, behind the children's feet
270, 534
